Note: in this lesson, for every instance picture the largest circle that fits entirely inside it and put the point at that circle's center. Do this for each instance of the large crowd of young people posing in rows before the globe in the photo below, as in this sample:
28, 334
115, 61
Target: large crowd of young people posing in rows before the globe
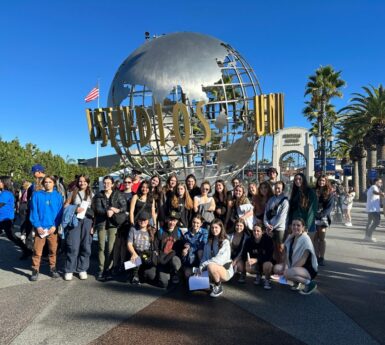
179, 229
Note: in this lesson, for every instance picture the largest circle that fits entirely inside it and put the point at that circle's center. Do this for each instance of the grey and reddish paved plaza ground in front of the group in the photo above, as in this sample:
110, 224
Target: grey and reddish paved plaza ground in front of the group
347, 308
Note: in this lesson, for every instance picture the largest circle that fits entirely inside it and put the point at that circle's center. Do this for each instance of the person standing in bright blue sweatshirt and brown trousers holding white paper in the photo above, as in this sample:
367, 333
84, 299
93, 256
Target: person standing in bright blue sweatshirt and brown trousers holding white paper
46, 211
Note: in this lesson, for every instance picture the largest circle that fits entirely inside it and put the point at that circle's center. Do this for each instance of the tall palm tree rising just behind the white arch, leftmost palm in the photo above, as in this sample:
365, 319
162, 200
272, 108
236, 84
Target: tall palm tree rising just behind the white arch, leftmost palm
322, 87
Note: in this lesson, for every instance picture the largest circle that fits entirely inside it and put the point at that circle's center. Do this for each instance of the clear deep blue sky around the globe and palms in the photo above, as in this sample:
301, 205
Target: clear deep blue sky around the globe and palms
52, 53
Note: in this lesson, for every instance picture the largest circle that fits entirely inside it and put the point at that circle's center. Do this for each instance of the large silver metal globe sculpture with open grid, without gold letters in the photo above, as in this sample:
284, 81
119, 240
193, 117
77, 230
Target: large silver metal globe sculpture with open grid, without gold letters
188, 68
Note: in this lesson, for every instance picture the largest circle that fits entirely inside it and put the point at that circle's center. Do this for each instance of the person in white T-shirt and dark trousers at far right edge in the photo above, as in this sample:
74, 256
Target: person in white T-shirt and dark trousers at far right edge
373, 208
